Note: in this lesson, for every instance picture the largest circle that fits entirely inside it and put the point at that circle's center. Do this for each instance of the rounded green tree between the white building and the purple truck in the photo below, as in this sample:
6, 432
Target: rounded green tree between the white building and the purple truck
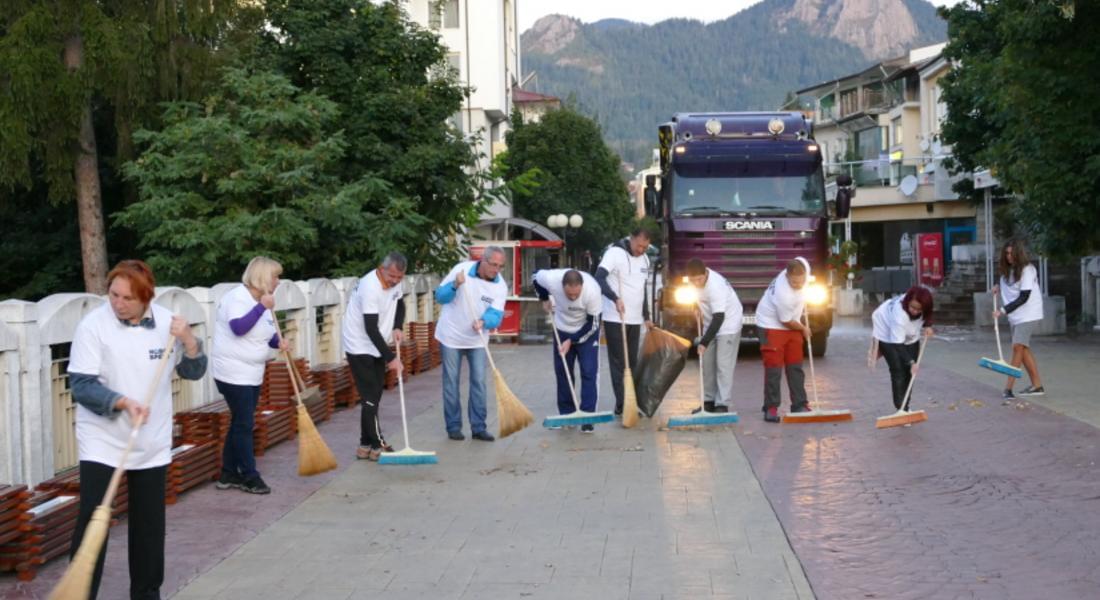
578, 173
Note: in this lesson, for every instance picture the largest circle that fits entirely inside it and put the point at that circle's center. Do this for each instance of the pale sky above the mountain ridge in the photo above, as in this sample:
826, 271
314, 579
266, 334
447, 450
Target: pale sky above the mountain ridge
645, 12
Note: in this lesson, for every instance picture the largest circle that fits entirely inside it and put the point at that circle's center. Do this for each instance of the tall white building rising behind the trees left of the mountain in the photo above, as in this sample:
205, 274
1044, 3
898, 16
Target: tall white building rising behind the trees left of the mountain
483, 40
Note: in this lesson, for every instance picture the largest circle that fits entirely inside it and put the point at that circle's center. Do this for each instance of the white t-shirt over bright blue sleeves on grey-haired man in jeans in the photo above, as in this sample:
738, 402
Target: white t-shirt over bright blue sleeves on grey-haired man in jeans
456, 328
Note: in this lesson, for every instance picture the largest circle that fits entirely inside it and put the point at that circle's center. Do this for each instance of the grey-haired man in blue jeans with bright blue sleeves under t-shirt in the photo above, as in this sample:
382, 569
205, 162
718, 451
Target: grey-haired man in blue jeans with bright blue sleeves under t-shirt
474, 297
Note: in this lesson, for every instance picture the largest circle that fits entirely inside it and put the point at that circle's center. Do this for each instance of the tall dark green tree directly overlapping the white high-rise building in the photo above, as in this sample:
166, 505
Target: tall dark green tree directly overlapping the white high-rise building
390, 82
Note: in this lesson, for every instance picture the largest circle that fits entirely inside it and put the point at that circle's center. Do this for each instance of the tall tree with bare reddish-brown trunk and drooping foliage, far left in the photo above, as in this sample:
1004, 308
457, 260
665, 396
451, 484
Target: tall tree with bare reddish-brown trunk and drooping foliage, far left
67, 63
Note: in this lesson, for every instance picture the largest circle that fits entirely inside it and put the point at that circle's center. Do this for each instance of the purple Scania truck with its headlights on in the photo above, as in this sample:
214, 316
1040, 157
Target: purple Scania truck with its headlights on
744, 192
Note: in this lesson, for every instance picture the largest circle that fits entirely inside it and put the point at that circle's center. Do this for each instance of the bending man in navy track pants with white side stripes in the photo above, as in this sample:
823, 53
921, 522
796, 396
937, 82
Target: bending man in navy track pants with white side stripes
577, 307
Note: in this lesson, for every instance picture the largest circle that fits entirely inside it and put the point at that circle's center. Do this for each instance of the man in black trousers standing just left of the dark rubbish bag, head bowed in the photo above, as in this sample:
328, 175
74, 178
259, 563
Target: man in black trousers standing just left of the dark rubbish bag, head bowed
622, 276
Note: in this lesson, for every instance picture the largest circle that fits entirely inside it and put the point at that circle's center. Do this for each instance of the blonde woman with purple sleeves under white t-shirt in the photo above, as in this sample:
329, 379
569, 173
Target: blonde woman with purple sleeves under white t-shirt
244, 339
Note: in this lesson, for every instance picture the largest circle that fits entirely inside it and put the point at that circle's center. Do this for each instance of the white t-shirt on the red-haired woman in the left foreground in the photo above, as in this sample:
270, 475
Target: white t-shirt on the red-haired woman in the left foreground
125, 359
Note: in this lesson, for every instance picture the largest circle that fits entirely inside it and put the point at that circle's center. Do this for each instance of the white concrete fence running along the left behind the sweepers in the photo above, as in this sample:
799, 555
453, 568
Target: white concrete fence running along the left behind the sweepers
37, 411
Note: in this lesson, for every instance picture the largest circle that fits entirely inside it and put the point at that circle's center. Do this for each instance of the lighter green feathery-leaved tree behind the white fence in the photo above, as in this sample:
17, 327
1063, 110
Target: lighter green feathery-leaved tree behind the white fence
256, 170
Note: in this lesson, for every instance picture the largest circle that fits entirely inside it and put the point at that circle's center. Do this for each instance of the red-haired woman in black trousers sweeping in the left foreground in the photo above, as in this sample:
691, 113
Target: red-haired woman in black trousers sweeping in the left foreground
117, 357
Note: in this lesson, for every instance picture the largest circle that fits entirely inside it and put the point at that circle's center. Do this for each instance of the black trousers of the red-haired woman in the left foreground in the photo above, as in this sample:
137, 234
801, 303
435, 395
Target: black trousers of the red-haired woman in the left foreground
145, 520
